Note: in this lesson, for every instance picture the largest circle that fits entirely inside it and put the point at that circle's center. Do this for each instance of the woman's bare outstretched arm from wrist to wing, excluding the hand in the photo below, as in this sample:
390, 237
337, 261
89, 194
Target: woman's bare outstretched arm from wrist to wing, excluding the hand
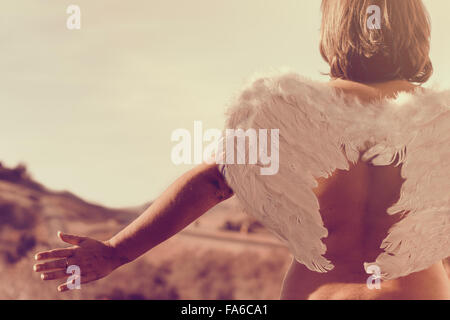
188, 198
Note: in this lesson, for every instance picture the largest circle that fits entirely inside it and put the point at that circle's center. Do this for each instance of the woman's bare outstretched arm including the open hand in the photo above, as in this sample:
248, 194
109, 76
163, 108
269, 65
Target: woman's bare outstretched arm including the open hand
184, 201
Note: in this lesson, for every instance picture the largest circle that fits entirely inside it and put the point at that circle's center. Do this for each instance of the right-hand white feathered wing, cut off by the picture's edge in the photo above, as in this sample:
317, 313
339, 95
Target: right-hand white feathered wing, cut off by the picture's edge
422, 237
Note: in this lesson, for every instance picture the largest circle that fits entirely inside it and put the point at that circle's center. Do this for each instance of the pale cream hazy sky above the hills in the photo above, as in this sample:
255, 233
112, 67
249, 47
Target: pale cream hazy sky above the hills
92, 110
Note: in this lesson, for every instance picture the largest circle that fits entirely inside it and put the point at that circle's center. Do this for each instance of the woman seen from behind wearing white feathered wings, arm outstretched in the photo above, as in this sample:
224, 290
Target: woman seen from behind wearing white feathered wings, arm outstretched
337, 178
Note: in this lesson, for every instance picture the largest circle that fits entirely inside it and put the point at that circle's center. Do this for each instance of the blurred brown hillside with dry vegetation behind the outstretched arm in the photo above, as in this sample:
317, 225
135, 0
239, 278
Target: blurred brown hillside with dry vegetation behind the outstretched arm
185, 267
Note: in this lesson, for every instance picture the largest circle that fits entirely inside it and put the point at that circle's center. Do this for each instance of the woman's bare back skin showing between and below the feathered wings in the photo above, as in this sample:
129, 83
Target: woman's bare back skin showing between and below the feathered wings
353, 206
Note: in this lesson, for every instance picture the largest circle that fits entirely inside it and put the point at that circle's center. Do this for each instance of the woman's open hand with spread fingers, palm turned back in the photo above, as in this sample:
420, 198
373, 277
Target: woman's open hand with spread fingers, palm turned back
96, 259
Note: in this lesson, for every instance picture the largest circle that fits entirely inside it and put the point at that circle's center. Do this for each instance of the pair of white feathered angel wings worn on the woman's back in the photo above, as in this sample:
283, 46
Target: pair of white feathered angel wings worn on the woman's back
320, 132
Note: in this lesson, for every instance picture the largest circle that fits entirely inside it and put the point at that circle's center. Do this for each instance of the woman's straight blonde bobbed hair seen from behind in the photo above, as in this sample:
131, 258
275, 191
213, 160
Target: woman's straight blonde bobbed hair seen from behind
399, 49
